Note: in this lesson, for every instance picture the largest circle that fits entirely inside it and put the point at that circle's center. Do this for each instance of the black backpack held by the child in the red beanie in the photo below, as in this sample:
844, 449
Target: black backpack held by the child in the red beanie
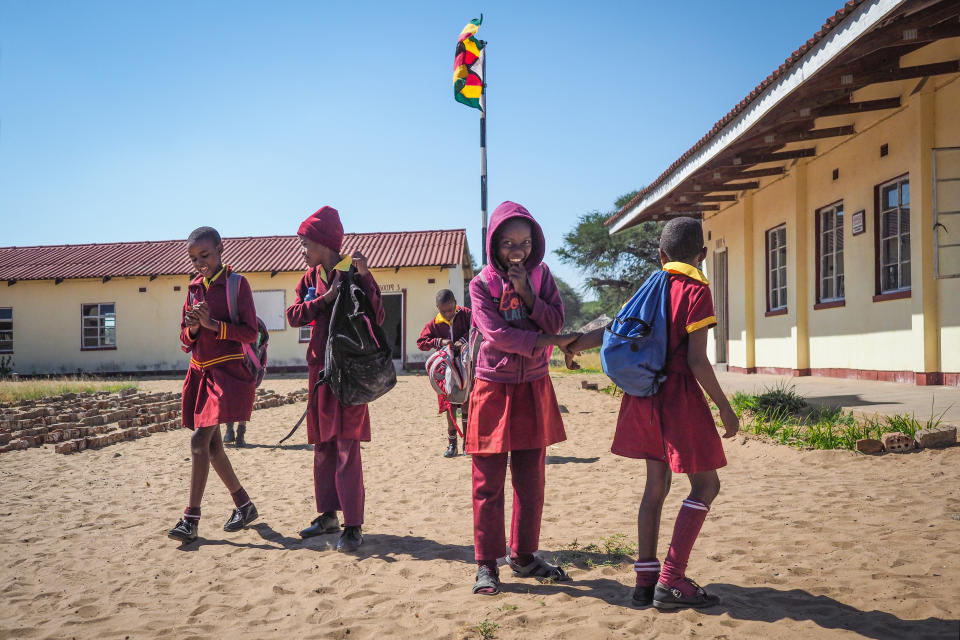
358, 366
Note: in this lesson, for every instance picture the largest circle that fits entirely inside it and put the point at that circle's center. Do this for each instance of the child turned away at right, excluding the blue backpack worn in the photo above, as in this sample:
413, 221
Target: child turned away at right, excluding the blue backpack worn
674, 430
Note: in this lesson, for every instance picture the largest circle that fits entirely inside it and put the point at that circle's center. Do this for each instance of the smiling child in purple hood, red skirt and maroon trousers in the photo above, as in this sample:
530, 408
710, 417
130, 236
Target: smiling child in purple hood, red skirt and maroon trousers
513, 408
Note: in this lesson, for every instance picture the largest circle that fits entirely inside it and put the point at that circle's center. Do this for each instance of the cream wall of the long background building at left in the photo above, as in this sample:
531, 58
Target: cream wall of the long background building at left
47, 320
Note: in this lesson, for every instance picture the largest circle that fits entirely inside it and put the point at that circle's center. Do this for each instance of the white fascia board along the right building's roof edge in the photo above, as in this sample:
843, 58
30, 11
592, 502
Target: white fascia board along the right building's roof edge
853, 26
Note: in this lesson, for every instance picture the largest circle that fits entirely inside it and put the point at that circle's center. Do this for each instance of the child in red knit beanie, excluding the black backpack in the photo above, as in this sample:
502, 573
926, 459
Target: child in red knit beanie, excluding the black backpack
334, 430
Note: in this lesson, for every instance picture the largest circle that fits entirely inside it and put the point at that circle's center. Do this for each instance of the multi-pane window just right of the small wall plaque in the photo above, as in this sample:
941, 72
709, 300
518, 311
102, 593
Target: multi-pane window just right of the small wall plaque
893, 235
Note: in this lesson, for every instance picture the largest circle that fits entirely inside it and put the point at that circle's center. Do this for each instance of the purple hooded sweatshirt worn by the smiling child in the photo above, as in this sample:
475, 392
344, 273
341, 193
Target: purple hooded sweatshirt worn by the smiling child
509, 353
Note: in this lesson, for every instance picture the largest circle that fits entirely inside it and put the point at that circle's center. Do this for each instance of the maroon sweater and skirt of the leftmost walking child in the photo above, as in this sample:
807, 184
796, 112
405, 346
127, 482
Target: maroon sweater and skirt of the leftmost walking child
218, 388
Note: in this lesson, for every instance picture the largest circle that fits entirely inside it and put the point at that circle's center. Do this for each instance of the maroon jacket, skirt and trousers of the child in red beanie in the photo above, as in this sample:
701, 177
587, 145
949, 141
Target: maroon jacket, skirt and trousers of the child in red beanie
334, 430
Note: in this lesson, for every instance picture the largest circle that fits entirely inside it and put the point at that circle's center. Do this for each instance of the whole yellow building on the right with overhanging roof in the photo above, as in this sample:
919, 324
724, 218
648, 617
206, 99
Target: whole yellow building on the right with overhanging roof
830, 198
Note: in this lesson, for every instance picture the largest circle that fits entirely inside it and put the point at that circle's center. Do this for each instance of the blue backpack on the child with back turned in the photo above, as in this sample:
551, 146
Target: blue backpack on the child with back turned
634, 351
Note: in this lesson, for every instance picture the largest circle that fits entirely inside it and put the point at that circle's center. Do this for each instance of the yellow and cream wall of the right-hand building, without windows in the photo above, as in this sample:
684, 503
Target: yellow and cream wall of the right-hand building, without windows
920, 333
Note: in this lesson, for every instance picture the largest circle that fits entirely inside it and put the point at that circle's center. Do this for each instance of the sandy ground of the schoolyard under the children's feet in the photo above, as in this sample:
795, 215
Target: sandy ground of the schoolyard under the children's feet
799, 544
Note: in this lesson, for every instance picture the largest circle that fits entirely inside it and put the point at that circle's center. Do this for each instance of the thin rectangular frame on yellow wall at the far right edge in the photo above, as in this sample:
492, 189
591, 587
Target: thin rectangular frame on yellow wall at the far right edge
946, 211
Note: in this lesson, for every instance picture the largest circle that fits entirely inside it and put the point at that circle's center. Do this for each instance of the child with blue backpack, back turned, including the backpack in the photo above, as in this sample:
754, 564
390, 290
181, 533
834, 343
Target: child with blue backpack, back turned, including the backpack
668, 422
